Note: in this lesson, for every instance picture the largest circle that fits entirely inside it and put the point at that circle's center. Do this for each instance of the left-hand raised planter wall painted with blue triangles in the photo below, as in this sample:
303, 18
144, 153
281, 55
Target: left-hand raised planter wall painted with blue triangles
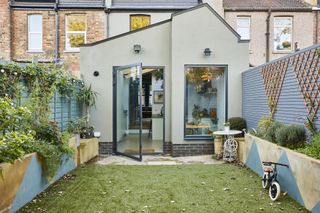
24, 179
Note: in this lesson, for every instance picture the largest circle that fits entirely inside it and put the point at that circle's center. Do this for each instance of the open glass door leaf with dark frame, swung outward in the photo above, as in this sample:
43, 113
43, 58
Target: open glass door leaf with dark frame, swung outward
128, 110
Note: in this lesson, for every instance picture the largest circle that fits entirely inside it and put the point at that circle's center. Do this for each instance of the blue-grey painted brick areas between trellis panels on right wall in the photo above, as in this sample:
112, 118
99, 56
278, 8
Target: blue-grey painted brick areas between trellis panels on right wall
291, 108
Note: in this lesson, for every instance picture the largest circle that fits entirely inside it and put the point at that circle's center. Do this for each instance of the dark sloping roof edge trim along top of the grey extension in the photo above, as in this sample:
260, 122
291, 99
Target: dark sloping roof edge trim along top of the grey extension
169, 20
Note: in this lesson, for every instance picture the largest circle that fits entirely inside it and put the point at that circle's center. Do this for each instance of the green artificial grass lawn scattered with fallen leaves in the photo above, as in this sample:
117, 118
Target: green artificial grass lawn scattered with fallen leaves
183, 188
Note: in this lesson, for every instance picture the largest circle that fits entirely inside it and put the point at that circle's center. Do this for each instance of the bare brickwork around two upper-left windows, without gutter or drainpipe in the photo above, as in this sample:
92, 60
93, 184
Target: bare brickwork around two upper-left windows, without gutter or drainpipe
95, 32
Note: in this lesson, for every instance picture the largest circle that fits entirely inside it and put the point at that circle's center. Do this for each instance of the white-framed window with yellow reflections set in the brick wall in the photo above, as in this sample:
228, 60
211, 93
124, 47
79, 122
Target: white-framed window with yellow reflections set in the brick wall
75, 32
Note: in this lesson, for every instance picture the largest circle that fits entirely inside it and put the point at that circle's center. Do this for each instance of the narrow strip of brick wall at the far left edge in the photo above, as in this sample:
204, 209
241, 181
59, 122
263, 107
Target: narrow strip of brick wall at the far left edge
4, 30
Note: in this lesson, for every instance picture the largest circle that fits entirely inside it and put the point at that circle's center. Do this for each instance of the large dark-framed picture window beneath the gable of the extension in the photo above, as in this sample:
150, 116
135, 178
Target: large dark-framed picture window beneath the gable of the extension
204, 101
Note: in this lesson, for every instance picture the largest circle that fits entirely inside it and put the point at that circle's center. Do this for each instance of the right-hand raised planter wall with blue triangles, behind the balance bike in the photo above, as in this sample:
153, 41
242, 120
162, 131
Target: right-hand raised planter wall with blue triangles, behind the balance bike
301, 180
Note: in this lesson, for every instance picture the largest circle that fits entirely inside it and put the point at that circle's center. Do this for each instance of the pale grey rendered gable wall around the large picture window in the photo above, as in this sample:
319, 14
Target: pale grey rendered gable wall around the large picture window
192, 32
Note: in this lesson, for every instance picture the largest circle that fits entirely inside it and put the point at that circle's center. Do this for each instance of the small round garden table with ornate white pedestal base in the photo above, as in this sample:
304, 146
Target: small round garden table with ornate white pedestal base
230, 145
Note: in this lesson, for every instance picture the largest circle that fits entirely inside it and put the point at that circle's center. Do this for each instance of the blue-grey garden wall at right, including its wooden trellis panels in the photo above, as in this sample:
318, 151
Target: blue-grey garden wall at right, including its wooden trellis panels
291, 79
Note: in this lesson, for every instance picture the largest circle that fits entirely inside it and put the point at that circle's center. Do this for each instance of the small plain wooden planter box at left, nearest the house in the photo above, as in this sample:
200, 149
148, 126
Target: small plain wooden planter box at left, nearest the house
88, 149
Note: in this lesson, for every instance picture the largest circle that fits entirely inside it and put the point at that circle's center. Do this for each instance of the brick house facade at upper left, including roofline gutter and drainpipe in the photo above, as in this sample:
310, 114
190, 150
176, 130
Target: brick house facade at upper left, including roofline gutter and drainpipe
95, 30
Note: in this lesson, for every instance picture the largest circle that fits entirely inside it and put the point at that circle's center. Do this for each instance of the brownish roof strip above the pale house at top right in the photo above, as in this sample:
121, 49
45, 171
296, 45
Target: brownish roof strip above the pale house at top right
256, 5
